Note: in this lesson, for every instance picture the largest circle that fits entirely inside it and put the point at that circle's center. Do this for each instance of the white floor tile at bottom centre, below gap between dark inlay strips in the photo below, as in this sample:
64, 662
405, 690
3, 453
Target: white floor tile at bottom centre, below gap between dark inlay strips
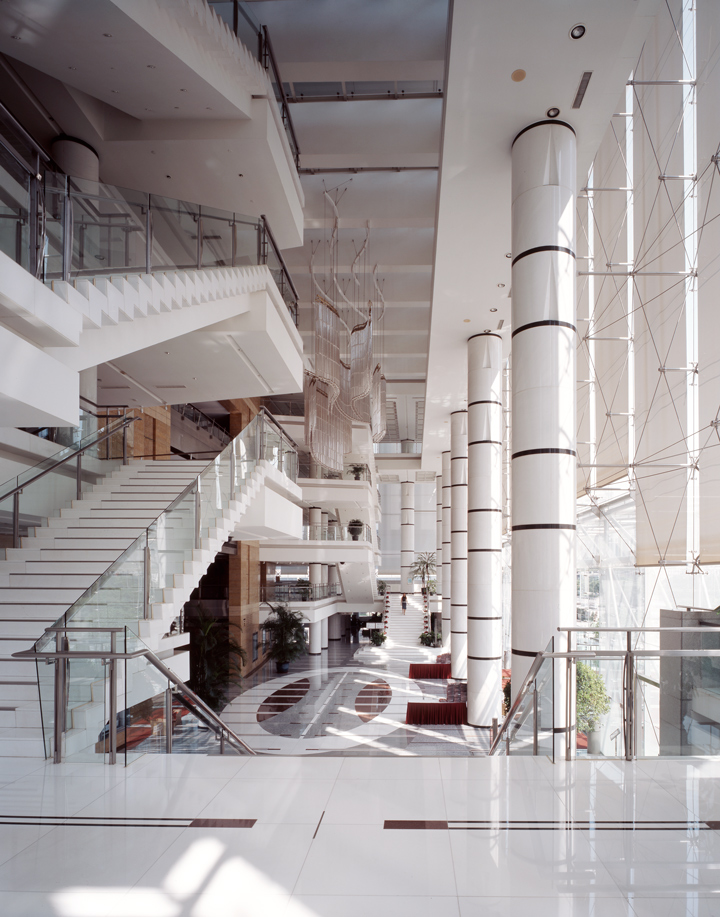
343, 858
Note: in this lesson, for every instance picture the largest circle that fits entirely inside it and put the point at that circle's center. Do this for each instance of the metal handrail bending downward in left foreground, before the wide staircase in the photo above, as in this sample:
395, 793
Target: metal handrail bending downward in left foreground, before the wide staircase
195, 704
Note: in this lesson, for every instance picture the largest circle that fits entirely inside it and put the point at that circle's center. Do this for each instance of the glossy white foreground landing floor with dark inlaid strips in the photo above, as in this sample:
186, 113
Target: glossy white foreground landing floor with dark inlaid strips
196, 836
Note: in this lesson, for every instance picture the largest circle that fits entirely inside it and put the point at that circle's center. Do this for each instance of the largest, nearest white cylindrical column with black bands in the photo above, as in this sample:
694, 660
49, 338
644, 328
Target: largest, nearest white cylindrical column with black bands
543, 397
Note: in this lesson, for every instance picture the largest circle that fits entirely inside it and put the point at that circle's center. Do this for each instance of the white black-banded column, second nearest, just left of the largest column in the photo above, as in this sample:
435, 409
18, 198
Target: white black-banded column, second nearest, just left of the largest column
485, 422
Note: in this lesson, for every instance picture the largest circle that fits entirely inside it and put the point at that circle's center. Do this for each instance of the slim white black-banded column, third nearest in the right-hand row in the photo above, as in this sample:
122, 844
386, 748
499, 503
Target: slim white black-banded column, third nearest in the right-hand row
458, 543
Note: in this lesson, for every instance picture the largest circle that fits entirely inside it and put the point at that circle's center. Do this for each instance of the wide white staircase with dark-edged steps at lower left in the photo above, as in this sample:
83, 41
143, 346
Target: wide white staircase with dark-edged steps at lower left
61, 558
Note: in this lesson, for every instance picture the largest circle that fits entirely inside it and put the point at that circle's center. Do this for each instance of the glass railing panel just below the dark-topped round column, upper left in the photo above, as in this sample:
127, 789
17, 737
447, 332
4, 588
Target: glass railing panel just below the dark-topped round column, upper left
109, 230
